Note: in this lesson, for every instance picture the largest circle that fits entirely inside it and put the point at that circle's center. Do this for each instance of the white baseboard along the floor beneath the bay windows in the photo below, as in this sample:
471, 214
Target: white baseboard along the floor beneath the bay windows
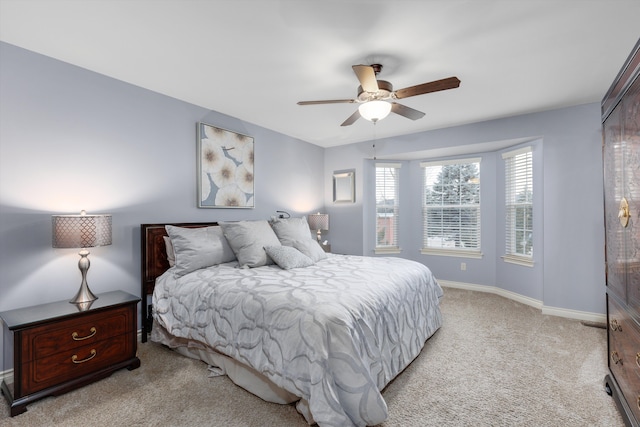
551, 311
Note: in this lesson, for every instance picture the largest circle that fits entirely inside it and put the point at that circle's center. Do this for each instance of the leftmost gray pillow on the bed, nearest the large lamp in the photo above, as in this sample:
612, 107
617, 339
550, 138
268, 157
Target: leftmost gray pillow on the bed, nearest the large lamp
197, 248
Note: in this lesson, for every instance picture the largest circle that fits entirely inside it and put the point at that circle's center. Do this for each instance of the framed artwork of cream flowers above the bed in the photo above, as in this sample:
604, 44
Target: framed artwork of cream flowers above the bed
225, 168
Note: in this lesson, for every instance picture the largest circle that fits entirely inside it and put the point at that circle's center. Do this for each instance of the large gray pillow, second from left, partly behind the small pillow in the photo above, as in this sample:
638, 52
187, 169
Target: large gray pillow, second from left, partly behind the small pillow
248, 239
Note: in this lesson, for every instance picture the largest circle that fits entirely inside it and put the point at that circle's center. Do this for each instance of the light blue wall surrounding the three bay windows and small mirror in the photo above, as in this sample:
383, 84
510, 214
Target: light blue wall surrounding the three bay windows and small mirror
569, 234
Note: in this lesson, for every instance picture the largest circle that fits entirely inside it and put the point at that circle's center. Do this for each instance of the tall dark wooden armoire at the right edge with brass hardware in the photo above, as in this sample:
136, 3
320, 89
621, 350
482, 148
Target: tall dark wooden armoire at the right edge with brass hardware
621, 154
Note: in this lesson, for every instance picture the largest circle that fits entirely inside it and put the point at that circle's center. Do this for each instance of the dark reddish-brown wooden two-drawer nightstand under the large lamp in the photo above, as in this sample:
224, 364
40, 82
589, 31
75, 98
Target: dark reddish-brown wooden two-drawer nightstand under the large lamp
56, 348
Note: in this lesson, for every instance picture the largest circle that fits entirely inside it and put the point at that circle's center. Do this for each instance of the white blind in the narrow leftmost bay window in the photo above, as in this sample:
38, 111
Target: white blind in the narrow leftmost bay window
387, 205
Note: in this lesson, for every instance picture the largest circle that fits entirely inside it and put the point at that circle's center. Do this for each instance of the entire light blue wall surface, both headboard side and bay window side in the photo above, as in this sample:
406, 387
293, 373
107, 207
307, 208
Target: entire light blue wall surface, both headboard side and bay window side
71, 139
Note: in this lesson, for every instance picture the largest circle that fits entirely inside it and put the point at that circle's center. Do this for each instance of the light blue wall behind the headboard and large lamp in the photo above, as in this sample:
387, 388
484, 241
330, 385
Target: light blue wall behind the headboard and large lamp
71, 139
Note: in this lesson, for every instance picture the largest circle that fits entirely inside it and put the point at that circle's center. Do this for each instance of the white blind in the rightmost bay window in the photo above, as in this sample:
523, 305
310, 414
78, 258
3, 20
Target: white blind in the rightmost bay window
519, 202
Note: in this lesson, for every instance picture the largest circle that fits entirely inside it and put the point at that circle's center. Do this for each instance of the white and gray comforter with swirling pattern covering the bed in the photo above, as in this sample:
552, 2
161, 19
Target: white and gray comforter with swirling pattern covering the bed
334, 333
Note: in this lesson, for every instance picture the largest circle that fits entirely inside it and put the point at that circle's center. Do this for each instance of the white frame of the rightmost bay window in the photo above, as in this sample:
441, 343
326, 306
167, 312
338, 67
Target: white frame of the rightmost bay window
518, 167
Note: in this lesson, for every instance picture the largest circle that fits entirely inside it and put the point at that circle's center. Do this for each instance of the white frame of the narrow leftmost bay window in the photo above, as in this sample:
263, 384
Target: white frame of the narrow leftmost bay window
395, 207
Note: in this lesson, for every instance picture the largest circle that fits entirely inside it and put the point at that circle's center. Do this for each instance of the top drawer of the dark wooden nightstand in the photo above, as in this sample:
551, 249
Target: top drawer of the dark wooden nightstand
45, 340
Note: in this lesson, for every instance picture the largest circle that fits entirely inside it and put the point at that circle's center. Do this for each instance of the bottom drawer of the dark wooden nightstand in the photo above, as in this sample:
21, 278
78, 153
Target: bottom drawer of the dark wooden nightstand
72, 363
